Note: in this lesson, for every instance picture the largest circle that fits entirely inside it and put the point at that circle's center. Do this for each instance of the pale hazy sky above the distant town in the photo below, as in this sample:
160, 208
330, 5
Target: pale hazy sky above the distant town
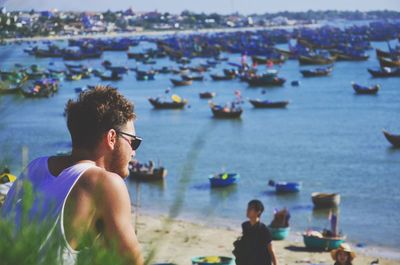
220, 6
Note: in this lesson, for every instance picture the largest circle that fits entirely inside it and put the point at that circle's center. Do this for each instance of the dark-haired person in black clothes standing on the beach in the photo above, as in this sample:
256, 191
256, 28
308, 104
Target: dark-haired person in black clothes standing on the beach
256, 241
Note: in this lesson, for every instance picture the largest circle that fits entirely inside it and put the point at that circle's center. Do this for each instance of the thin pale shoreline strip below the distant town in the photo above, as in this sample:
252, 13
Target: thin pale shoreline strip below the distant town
154, 33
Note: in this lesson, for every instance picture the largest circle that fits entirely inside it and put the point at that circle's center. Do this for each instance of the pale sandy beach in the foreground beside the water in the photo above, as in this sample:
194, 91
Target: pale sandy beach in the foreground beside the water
177, 241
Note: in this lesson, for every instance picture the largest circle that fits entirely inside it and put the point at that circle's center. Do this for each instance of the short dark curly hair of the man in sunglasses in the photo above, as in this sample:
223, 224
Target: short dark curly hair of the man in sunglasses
95, 112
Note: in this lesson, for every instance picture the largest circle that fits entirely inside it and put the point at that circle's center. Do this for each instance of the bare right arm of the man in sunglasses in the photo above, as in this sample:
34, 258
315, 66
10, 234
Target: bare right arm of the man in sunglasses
115, 211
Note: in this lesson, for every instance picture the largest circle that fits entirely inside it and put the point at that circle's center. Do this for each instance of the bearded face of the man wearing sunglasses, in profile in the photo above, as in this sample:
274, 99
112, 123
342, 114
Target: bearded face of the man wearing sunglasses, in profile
123, 152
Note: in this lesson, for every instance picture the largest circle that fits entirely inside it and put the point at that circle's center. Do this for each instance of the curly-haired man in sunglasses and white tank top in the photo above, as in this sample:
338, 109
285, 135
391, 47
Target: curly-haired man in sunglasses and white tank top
85, 193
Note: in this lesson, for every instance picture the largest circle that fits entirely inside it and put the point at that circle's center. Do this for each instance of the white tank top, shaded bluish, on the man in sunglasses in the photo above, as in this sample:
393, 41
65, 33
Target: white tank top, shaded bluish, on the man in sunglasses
50, 195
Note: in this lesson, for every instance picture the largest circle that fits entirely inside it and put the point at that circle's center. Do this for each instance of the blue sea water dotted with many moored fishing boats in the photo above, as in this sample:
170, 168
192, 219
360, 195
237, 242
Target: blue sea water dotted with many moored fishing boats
328, 138
